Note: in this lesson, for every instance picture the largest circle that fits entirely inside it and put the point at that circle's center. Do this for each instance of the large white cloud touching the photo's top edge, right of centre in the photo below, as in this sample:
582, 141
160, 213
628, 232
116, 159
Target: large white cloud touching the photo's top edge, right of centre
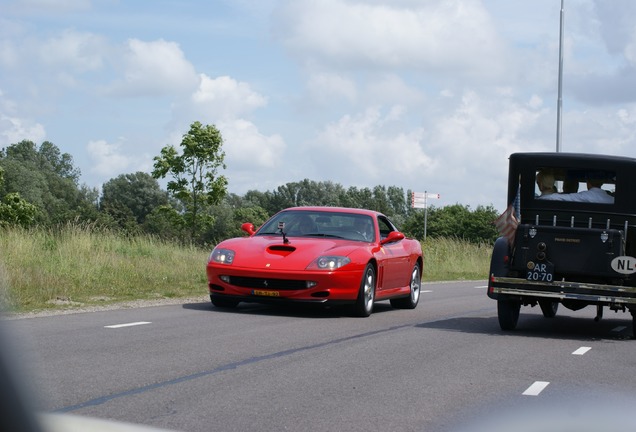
450, 35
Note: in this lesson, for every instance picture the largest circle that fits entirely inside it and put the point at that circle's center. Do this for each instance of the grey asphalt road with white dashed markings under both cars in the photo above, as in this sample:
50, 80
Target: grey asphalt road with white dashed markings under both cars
444, 366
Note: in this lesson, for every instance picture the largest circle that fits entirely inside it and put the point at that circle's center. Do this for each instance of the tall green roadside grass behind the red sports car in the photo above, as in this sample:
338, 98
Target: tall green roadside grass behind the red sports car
78, 265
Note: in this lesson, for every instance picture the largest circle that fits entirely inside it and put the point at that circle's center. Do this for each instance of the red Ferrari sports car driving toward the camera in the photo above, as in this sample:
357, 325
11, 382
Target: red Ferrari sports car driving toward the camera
325, 255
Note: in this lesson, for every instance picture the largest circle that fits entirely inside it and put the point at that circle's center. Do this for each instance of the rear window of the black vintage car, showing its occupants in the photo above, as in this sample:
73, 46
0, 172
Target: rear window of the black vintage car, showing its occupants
575, 185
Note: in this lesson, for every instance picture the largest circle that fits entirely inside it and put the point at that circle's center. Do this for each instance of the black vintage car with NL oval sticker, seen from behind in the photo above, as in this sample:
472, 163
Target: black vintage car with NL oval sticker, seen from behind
573, 238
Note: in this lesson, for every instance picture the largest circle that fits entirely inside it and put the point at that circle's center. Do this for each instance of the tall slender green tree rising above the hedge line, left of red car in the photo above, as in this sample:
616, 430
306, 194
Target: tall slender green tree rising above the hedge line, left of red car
195, 179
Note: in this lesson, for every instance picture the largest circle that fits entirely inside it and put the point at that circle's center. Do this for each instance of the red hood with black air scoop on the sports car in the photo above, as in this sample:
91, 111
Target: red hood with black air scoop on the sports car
270, 252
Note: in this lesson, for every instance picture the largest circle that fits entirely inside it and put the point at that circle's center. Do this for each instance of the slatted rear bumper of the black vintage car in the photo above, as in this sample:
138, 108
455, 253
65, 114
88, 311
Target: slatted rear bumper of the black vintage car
586, 292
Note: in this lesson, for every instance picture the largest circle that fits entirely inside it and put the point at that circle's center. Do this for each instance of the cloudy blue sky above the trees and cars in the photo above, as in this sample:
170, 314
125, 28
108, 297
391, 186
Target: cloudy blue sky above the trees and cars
428, 95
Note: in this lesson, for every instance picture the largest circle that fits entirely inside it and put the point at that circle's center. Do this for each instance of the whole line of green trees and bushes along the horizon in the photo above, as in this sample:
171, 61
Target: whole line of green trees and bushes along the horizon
39, 186
